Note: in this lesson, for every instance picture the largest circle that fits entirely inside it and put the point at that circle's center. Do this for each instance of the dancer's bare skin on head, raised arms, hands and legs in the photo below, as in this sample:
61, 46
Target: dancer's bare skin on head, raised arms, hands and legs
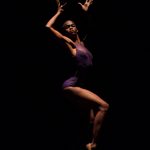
70, 39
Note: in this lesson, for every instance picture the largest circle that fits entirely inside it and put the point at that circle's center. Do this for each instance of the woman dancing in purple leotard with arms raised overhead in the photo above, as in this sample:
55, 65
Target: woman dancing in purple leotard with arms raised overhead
83, 59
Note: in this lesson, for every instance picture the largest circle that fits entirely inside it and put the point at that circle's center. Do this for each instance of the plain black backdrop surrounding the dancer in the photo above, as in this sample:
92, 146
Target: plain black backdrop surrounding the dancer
36, 114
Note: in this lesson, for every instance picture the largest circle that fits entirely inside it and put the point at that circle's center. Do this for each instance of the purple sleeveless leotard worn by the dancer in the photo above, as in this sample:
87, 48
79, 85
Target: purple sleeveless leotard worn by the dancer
83, 60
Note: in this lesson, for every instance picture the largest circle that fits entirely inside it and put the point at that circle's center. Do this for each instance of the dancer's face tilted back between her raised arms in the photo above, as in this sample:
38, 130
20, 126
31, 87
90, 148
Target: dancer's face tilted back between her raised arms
70, 27
